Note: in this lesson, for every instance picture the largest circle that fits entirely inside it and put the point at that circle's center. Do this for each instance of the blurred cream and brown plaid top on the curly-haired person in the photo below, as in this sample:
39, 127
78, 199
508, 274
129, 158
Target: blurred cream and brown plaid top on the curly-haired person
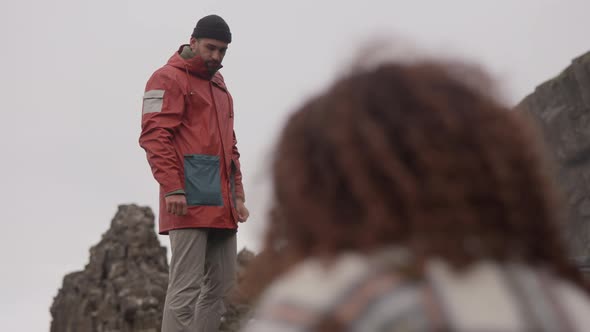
369, 294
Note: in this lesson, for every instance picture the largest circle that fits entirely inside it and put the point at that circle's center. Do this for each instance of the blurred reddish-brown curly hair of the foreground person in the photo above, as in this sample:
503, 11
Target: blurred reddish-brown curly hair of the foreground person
411, 155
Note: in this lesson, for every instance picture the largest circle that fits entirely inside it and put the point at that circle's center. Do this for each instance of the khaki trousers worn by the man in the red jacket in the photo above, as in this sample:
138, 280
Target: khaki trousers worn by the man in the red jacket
202, 272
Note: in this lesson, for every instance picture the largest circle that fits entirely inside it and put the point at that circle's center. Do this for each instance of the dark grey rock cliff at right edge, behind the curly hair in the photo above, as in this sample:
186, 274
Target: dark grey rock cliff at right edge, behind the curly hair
561, 106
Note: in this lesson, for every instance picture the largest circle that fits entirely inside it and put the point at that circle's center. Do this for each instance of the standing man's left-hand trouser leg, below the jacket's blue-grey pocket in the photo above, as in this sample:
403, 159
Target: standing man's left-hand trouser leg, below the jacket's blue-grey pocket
187, 267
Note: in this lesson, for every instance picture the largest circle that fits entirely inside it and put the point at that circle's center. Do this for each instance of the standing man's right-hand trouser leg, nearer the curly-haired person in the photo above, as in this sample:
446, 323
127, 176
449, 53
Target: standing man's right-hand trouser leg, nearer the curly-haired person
220, 271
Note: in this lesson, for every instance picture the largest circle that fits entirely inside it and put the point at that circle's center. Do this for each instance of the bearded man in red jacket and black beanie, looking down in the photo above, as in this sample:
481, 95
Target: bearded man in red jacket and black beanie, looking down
188, 135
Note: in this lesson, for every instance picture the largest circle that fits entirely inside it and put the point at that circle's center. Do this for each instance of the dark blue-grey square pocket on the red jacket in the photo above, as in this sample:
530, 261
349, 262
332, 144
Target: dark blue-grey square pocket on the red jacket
202, 180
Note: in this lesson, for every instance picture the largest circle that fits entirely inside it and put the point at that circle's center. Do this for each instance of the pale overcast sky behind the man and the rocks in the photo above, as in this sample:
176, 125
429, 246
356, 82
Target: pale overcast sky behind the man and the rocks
73, 73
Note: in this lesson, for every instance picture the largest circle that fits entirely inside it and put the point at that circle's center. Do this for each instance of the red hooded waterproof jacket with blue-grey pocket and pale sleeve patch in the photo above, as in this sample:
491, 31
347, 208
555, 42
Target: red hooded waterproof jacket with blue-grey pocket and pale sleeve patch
188, 135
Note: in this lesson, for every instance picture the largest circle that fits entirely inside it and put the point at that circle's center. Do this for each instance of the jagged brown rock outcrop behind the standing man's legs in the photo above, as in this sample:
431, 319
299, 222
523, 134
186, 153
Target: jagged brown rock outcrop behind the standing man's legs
123, 287
